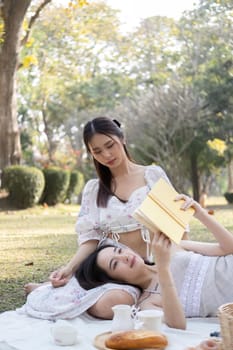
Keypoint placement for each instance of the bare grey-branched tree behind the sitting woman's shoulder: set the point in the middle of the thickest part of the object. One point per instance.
(159, 126)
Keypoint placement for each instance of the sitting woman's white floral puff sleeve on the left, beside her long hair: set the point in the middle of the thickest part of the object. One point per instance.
(87, 224)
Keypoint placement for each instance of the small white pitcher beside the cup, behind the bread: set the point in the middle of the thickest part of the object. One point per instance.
(122, 320)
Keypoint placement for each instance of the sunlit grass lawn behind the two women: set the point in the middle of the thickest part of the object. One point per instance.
(36, 241)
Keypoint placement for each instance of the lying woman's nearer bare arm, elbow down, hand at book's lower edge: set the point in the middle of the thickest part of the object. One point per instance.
(173, 310)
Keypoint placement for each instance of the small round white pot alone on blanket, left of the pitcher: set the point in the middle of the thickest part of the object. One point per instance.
(64, 333)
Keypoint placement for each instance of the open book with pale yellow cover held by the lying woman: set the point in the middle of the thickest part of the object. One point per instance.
(160, 211)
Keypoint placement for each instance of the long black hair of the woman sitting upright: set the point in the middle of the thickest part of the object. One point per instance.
(108, 127)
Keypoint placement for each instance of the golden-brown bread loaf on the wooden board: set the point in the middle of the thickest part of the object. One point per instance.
(136, 339)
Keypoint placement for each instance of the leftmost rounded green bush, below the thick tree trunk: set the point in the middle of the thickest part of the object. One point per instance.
(24, 184)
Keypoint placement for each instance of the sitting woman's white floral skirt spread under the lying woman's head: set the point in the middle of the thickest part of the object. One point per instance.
(69, 301)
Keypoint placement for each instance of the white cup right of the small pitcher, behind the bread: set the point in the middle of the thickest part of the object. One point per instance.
(150, 319)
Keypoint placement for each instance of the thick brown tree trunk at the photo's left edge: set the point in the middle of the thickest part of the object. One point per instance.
(13, 12)
